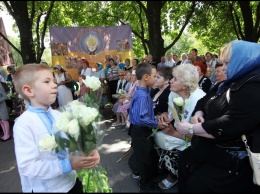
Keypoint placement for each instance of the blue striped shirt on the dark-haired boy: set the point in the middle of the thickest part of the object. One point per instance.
(141, 109)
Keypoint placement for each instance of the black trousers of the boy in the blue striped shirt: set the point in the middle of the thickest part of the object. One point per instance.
(146, 155)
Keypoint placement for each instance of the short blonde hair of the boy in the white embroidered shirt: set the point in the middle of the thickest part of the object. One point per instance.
(27, 75)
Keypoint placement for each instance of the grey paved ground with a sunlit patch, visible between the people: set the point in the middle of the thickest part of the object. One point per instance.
(115, 143)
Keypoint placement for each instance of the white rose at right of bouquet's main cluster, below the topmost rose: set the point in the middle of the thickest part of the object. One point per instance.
(88, 115)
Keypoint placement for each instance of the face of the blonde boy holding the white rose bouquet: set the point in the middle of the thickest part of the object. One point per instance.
(44, 90)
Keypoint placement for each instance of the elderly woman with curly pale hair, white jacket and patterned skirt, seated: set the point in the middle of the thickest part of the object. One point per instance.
(184, 84)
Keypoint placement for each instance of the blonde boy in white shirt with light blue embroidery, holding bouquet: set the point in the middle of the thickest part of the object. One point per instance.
(42, 171)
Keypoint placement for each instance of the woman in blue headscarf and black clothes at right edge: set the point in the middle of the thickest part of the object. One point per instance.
(217, 160)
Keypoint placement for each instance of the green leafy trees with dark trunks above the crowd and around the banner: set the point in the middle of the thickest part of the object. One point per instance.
(158, 26)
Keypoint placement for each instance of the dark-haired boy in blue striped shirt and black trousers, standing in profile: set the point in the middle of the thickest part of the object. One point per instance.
(142, 121)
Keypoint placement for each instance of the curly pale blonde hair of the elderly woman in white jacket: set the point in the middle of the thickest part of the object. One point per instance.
(188, 75)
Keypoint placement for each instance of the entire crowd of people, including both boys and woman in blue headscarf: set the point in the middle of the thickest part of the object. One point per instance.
(142, 94)
